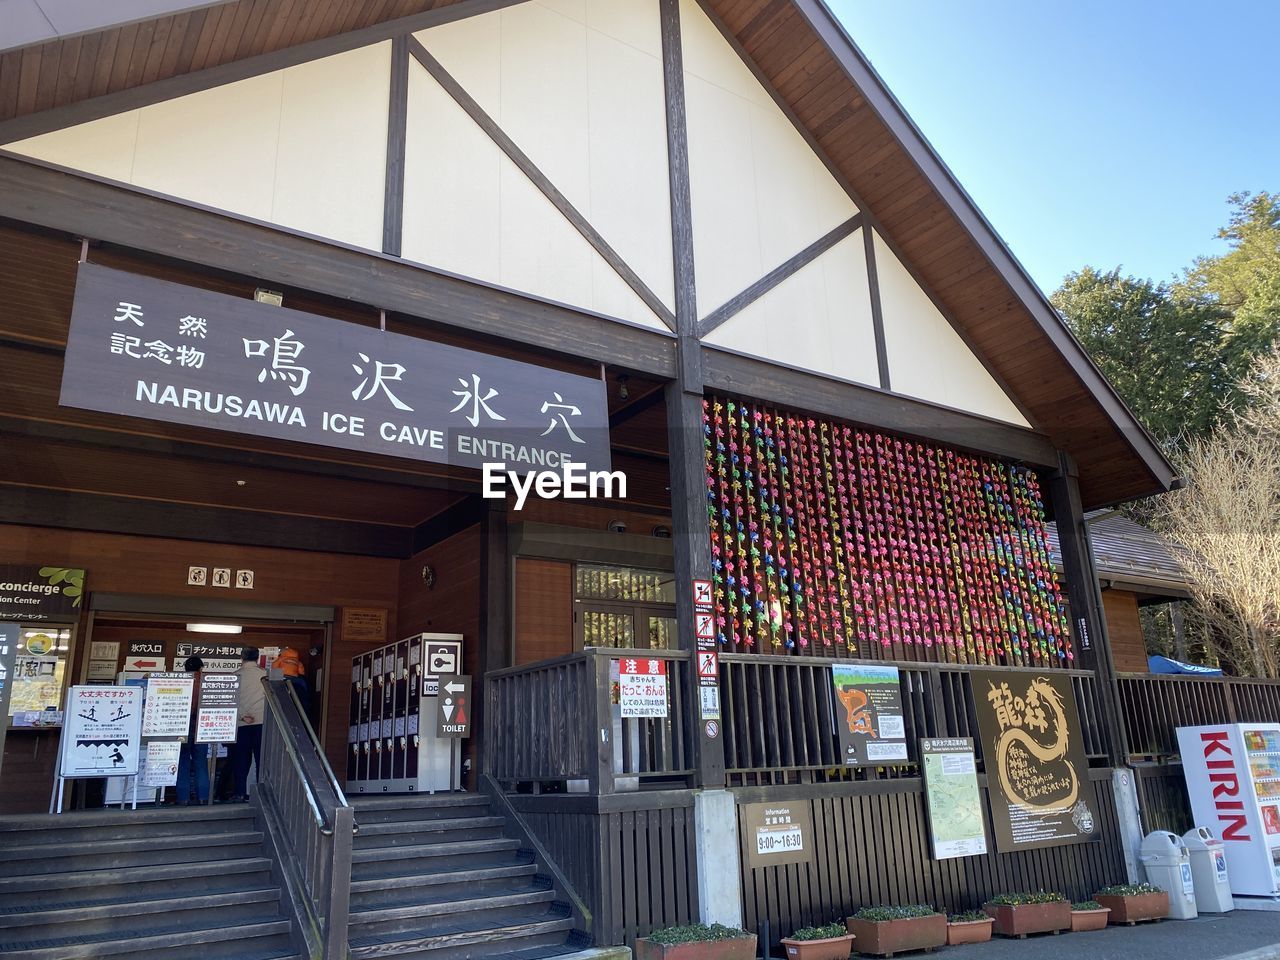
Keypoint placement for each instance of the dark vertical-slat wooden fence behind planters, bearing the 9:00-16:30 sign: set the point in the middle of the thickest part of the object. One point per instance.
(872, 848)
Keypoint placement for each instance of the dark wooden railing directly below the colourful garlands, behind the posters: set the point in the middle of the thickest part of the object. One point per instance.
(780, 725)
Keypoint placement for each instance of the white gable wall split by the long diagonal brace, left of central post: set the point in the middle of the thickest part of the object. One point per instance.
(578, 86)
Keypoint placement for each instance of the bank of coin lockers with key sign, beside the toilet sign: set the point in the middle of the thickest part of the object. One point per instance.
(396, 730)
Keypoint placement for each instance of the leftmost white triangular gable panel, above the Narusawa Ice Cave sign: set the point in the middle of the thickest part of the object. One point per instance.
(303, 148)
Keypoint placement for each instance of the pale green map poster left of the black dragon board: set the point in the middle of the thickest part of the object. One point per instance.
(953, 799)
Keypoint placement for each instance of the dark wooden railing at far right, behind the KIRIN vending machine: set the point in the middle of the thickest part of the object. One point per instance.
(1154, 706)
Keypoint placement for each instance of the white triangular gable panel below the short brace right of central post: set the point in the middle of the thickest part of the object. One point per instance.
(819, 319)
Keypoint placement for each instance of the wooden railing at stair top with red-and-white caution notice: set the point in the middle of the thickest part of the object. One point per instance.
(555, 724)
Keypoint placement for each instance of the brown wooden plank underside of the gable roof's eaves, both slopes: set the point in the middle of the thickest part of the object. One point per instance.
(819, 76)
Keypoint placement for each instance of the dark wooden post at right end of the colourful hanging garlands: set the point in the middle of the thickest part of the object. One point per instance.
(1081, 577)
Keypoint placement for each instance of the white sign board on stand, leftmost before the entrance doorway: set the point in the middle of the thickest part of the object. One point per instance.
(102, 732)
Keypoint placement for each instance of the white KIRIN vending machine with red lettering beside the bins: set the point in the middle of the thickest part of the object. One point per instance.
(1233, 778)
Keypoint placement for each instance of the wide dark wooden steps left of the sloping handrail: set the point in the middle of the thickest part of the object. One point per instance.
(173, 884)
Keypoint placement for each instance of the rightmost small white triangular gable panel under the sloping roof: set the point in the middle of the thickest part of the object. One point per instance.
(927, 359)
